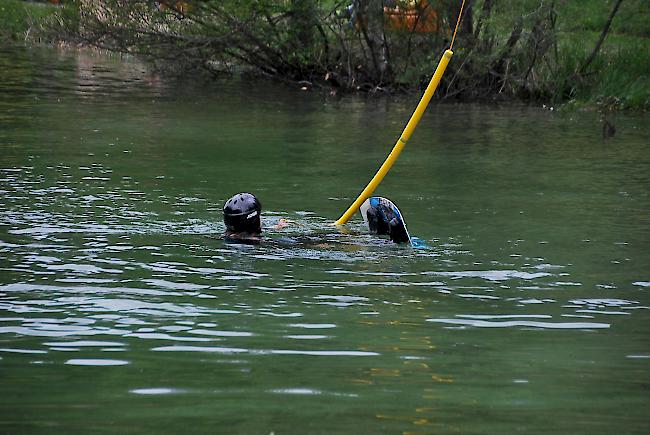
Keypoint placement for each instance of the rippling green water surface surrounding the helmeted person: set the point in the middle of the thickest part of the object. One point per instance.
(526, 312)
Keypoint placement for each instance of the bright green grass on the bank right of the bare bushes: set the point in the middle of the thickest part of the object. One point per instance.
(619, 76)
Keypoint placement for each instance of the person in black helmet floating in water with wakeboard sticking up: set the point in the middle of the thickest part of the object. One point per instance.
(242, 217)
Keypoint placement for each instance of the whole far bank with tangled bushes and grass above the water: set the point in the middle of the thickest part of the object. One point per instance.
(589, 54)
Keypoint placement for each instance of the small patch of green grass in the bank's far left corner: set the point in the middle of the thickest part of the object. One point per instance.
(17, 18)
